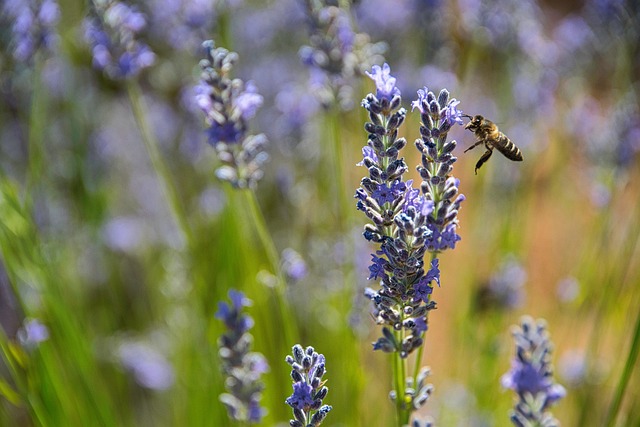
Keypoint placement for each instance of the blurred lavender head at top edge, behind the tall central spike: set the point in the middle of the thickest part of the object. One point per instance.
(336, 54)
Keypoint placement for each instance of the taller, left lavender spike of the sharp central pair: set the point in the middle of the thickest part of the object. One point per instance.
(398, 214)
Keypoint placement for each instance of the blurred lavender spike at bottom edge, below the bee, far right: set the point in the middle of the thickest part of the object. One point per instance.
(531, 376)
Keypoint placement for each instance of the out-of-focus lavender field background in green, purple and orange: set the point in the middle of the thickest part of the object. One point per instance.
(90, 247)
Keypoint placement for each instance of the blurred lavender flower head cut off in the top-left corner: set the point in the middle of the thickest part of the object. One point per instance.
(32, 25)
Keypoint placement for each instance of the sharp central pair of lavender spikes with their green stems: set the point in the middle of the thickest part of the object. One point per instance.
(407, 223)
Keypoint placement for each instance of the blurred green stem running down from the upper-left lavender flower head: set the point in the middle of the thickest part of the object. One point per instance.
(151, 144)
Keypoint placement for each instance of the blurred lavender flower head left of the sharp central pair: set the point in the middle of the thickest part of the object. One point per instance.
(227, 105)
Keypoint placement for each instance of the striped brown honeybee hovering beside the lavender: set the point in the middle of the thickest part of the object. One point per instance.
(487, 133)
